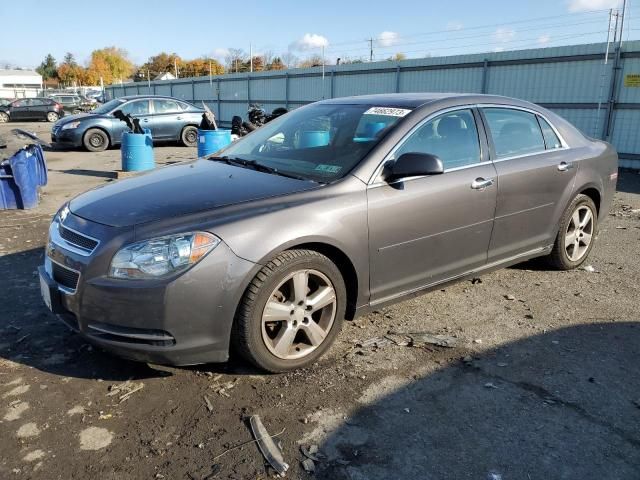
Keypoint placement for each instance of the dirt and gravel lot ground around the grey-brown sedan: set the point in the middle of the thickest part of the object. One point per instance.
(542, 383)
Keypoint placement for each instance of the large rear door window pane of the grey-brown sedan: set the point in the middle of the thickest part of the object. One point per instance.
(514, 132)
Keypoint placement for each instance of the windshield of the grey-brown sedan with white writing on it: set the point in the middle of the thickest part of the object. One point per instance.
(321, 142)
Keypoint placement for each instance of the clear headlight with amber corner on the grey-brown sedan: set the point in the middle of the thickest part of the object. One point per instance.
(161, 256)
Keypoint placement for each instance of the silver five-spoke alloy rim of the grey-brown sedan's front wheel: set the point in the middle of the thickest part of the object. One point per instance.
(299, 314)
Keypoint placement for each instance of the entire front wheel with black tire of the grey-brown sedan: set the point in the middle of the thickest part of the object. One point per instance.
(291, 312)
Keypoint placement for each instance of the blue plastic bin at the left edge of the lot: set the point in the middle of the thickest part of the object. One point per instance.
(19, 180)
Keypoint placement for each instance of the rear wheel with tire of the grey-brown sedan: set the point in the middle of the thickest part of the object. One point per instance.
(576, 235)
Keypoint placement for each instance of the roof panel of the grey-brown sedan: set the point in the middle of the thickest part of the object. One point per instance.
(415, 100)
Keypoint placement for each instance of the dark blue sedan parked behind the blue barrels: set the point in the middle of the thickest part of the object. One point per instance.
(168, 118)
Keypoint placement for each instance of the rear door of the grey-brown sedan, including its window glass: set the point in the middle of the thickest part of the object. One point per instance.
(534, 181)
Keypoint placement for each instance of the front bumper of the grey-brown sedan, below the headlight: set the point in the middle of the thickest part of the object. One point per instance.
(182, 320)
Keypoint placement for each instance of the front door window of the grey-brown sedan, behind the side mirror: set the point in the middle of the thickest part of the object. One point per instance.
(452, 137)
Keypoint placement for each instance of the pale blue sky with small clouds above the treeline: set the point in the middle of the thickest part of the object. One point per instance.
(193, 28)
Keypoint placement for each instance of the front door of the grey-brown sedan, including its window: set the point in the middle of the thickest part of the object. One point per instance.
(424, 230)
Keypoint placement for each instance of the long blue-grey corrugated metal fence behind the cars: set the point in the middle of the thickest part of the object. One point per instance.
(573, 81)
